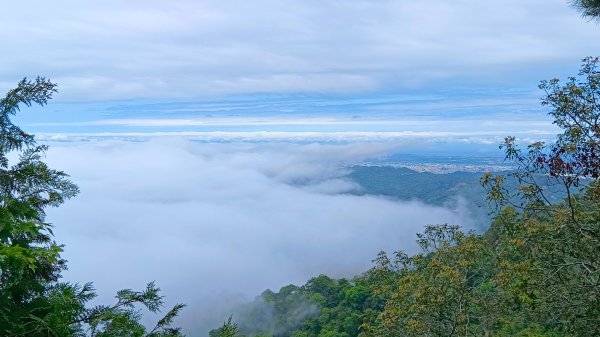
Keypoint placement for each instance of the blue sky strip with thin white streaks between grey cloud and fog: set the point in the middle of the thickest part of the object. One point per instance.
(445, 117)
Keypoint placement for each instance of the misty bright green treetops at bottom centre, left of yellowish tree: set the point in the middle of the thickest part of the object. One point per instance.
(322, 307)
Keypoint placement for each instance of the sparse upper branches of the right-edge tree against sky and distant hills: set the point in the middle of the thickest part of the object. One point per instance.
(572, 159)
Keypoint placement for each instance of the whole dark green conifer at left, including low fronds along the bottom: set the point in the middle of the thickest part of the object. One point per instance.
(33, 302)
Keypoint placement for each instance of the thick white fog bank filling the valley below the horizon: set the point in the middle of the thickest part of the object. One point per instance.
(217, 223)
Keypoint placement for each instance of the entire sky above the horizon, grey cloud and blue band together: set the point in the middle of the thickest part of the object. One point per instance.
(159, 68)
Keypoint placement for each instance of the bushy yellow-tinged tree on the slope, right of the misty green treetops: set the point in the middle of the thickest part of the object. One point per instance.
(445, 290)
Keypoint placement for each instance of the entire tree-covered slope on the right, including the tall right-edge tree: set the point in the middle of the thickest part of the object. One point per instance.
(534, 272)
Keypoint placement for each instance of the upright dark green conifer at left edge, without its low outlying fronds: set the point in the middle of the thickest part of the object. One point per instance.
(29, 258)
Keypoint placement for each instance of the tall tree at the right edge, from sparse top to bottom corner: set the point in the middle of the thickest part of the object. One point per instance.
(552, 251)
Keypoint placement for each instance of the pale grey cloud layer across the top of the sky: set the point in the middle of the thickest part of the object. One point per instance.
(156, 49)
